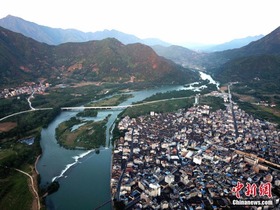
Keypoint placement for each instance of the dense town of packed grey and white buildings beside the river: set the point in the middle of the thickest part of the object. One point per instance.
(196, 159)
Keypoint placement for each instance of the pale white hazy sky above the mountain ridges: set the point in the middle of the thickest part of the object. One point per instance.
(174, 21)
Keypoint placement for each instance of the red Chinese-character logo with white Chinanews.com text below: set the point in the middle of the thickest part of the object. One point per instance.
(262, 192)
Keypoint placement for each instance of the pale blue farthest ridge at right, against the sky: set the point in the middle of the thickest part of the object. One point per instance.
(233, 44)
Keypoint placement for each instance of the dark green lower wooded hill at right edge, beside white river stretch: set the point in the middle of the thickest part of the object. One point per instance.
(260, 73)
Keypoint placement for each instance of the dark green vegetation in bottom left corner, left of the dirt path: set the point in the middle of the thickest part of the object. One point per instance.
(13, 184)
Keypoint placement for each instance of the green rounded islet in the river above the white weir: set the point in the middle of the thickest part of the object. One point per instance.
(89, 135)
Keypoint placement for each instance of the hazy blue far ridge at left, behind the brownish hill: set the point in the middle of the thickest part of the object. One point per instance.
(55, 36)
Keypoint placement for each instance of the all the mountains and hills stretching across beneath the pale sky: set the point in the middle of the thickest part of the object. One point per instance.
(81, 59)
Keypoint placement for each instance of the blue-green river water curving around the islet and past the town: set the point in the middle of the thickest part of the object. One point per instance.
(84, 176)
